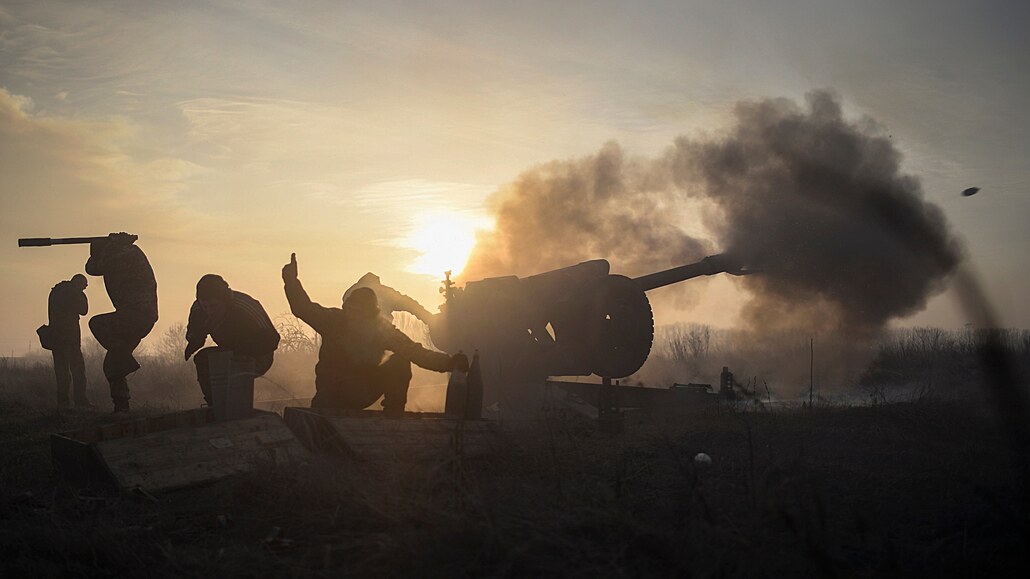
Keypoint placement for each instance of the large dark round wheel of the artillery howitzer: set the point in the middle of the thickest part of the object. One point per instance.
(624, 328)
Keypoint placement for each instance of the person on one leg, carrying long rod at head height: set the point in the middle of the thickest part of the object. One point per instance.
(133, 291)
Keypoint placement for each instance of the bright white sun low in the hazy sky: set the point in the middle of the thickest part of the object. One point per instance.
(444, 242)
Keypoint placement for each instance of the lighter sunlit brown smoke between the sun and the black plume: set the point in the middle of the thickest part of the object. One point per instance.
(604, 206)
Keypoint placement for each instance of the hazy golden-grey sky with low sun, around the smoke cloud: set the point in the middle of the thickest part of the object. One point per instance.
(367, 137)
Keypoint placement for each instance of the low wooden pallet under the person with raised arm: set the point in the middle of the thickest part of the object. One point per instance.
(370, 435)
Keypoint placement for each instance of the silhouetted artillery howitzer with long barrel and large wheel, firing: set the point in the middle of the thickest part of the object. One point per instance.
(571, 322)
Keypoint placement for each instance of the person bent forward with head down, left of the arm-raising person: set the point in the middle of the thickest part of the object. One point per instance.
(236, 322)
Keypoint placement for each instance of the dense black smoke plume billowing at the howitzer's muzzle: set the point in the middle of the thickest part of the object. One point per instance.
(820, 205)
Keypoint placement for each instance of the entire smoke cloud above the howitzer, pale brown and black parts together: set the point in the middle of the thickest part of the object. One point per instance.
(844, 240)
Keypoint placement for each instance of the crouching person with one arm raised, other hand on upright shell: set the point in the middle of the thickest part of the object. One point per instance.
(354, 369)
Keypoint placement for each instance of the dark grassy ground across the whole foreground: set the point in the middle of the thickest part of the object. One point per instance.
(924, 489)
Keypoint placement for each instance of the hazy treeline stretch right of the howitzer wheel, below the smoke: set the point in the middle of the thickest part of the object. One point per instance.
(903, 363)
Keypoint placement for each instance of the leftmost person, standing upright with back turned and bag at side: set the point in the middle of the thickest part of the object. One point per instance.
(66, 304)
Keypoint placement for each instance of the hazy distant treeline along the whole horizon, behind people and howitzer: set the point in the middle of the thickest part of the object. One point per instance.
(903, 364)
